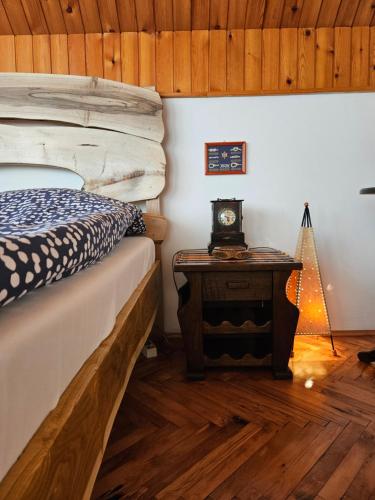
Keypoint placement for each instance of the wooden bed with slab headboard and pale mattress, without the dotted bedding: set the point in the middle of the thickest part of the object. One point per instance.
(65, 364)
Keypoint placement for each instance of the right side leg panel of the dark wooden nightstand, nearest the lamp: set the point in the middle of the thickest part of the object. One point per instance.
(285, 318)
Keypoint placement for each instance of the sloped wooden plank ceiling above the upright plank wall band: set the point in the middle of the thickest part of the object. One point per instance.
(22, 17)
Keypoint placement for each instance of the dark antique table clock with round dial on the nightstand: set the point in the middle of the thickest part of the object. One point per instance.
(226, 224)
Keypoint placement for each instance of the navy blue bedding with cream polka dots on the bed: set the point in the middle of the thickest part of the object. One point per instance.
(49, 234)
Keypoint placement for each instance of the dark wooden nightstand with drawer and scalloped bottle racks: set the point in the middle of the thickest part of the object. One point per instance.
(236, 313)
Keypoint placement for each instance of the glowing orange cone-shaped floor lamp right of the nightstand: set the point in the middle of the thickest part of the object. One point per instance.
(304, 288)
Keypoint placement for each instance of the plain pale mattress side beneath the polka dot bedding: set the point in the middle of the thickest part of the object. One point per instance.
(47, 336)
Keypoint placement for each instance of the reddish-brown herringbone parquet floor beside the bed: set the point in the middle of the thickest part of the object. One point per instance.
(241, 435)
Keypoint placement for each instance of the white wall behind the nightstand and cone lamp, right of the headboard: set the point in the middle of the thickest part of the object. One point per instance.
(319, 148)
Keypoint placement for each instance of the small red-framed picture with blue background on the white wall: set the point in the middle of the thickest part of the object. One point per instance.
(224, 158)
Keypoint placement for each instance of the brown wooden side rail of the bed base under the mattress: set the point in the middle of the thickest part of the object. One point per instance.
(62, 459)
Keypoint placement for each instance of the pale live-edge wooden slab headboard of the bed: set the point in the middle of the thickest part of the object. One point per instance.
(108, 132)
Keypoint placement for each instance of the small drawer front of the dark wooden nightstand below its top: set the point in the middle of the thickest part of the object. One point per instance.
(255, 285)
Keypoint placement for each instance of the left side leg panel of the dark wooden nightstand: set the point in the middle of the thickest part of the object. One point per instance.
(190, 318)
